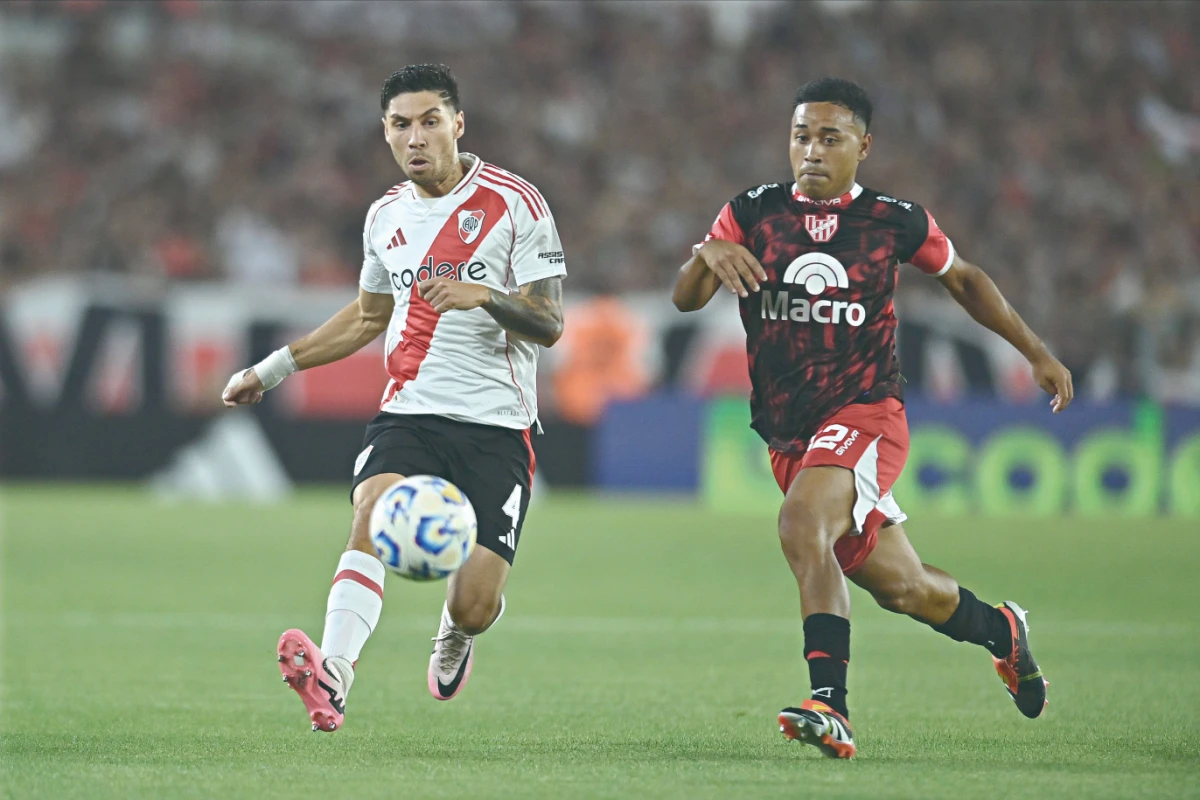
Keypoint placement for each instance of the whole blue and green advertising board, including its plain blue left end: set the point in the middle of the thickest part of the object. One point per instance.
(981, 458)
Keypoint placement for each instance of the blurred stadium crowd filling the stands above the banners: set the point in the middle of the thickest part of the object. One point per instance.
(1058, 143)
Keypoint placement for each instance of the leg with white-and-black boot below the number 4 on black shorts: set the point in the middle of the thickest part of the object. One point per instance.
(475, 603)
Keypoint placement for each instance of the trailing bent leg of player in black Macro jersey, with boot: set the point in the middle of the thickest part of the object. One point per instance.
(901, 584)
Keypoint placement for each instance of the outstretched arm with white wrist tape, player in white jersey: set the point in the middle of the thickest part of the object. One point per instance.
(347, 332)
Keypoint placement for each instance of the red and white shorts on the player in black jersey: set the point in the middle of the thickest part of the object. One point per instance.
(872, 441)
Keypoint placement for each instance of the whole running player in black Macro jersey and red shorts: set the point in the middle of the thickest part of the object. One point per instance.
(814, 262)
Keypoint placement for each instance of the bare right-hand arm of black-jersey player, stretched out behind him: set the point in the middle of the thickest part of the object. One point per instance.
(979, 294)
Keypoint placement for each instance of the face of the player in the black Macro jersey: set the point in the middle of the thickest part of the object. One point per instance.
(827, 147)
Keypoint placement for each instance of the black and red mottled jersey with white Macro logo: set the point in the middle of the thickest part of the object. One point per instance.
(821, 332)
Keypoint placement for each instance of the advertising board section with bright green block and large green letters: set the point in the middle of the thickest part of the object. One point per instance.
(1000, 460)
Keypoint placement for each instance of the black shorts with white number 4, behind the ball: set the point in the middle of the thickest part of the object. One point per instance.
(493, 466)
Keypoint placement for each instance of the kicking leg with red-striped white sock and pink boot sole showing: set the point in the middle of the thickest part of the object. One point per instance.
(323, 677)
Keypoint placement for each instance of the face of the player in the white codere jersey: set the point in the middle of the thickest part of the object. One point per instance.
(423, 134)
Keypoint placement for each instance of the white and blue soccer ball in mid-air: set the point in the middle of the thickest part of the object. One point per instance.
(423, 528)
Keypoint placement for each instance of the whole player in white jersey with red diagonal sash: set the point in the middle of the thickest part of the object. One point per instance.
(463, 268)
